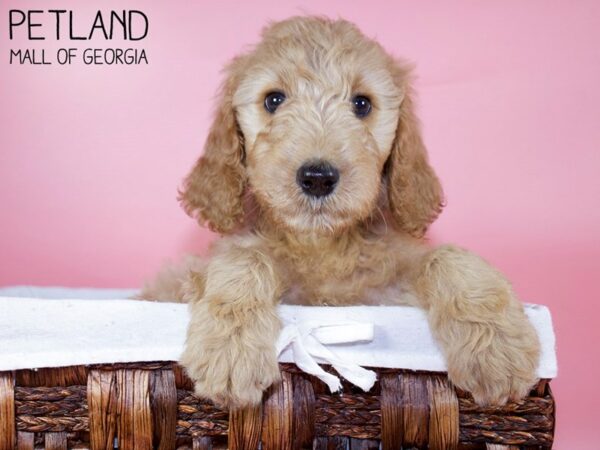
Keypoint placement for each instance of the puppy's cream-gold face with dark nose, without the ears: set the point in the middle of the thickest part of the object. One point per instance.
(318, 109)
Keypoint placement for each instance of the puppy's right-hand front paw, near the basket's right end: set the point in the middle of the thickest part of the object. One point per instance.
(498, 372)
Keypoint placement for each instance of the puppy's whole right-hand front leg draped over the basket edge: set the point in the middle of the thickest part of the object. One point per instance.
(492, 349)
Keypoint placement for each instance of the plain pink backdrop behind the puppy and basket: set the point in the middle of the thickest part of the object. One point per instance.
(91, 156)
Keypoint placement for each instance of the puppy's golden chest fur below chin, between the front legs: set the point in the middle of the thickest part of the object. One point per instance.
(349, 270)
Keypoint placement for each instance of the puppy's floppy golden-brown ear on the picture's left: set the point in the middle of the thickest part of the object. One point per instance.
(212, 192)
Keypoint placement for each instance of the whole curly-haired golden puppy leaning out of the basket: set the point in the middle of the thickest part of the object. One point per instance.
(316, 174)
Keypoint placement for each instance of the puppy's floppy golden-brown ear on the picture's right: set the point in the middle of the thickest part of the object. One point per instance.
(414, 192)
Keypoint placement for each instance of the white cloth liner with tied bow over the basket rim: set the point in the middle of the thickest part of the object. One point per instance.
(38, 332)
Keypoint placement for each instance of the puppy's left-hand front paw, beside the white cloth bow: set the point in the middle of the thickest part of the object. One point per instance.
(231, 375)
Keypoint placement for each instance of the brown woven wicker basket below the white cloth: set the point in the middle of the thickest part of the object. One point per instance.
(151, 405)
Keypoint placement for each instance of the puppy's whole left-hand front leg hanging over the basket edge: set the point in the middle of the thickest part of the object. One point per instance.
(230, 347)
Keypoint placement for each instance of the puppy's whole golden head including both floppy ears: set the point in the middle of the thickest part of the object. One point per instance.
(317, 123)
